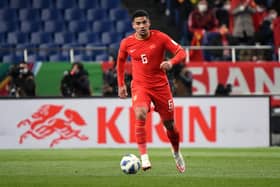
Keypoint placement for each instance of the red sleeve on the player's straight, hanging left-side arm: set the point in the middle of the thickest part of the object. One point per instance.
(122, 55)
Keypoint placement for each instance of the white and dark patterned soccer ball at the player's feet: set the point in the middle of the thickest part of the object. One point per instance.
(130, 164)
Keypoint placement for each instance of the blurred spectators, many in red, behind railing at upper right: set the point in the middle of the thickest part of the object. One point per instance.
(227, 23)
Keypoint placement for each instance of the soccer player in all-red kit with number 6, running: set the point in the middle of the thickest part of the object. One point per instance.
(146, 49)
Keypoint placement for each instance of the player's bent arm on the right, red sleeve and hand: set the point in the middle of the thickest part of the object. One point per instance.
(178, 52)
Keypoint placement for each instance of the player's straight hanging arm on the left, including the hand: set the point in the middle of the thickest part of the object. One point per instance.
(122, 55)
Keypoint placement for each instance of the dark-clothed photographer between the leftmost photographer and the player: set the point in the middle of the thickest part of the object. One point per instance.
(75, 82)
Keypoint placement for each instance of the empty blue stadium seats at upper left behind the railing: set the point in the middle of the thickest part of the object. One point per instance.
(48, 23)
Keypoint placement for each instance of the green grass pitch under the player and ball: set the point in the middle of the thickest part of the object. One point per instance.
(100, 167)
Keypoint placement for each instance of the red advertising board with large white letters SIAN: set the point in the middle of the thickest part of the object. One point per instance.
(246, 78)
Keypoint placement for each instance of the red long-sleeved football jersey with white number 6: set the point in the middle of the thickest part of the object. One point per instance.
(146, 57)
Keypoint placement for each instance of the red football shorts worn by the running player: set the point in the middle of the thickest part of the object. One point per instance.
(161, 97)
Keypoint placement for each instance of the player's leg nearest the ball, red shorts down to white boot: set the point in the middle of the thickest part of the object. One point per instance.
(140, 102)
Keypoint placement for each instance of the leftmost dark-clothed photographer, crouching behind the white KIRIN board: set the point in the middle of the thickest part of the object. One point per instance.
(22, 81)
